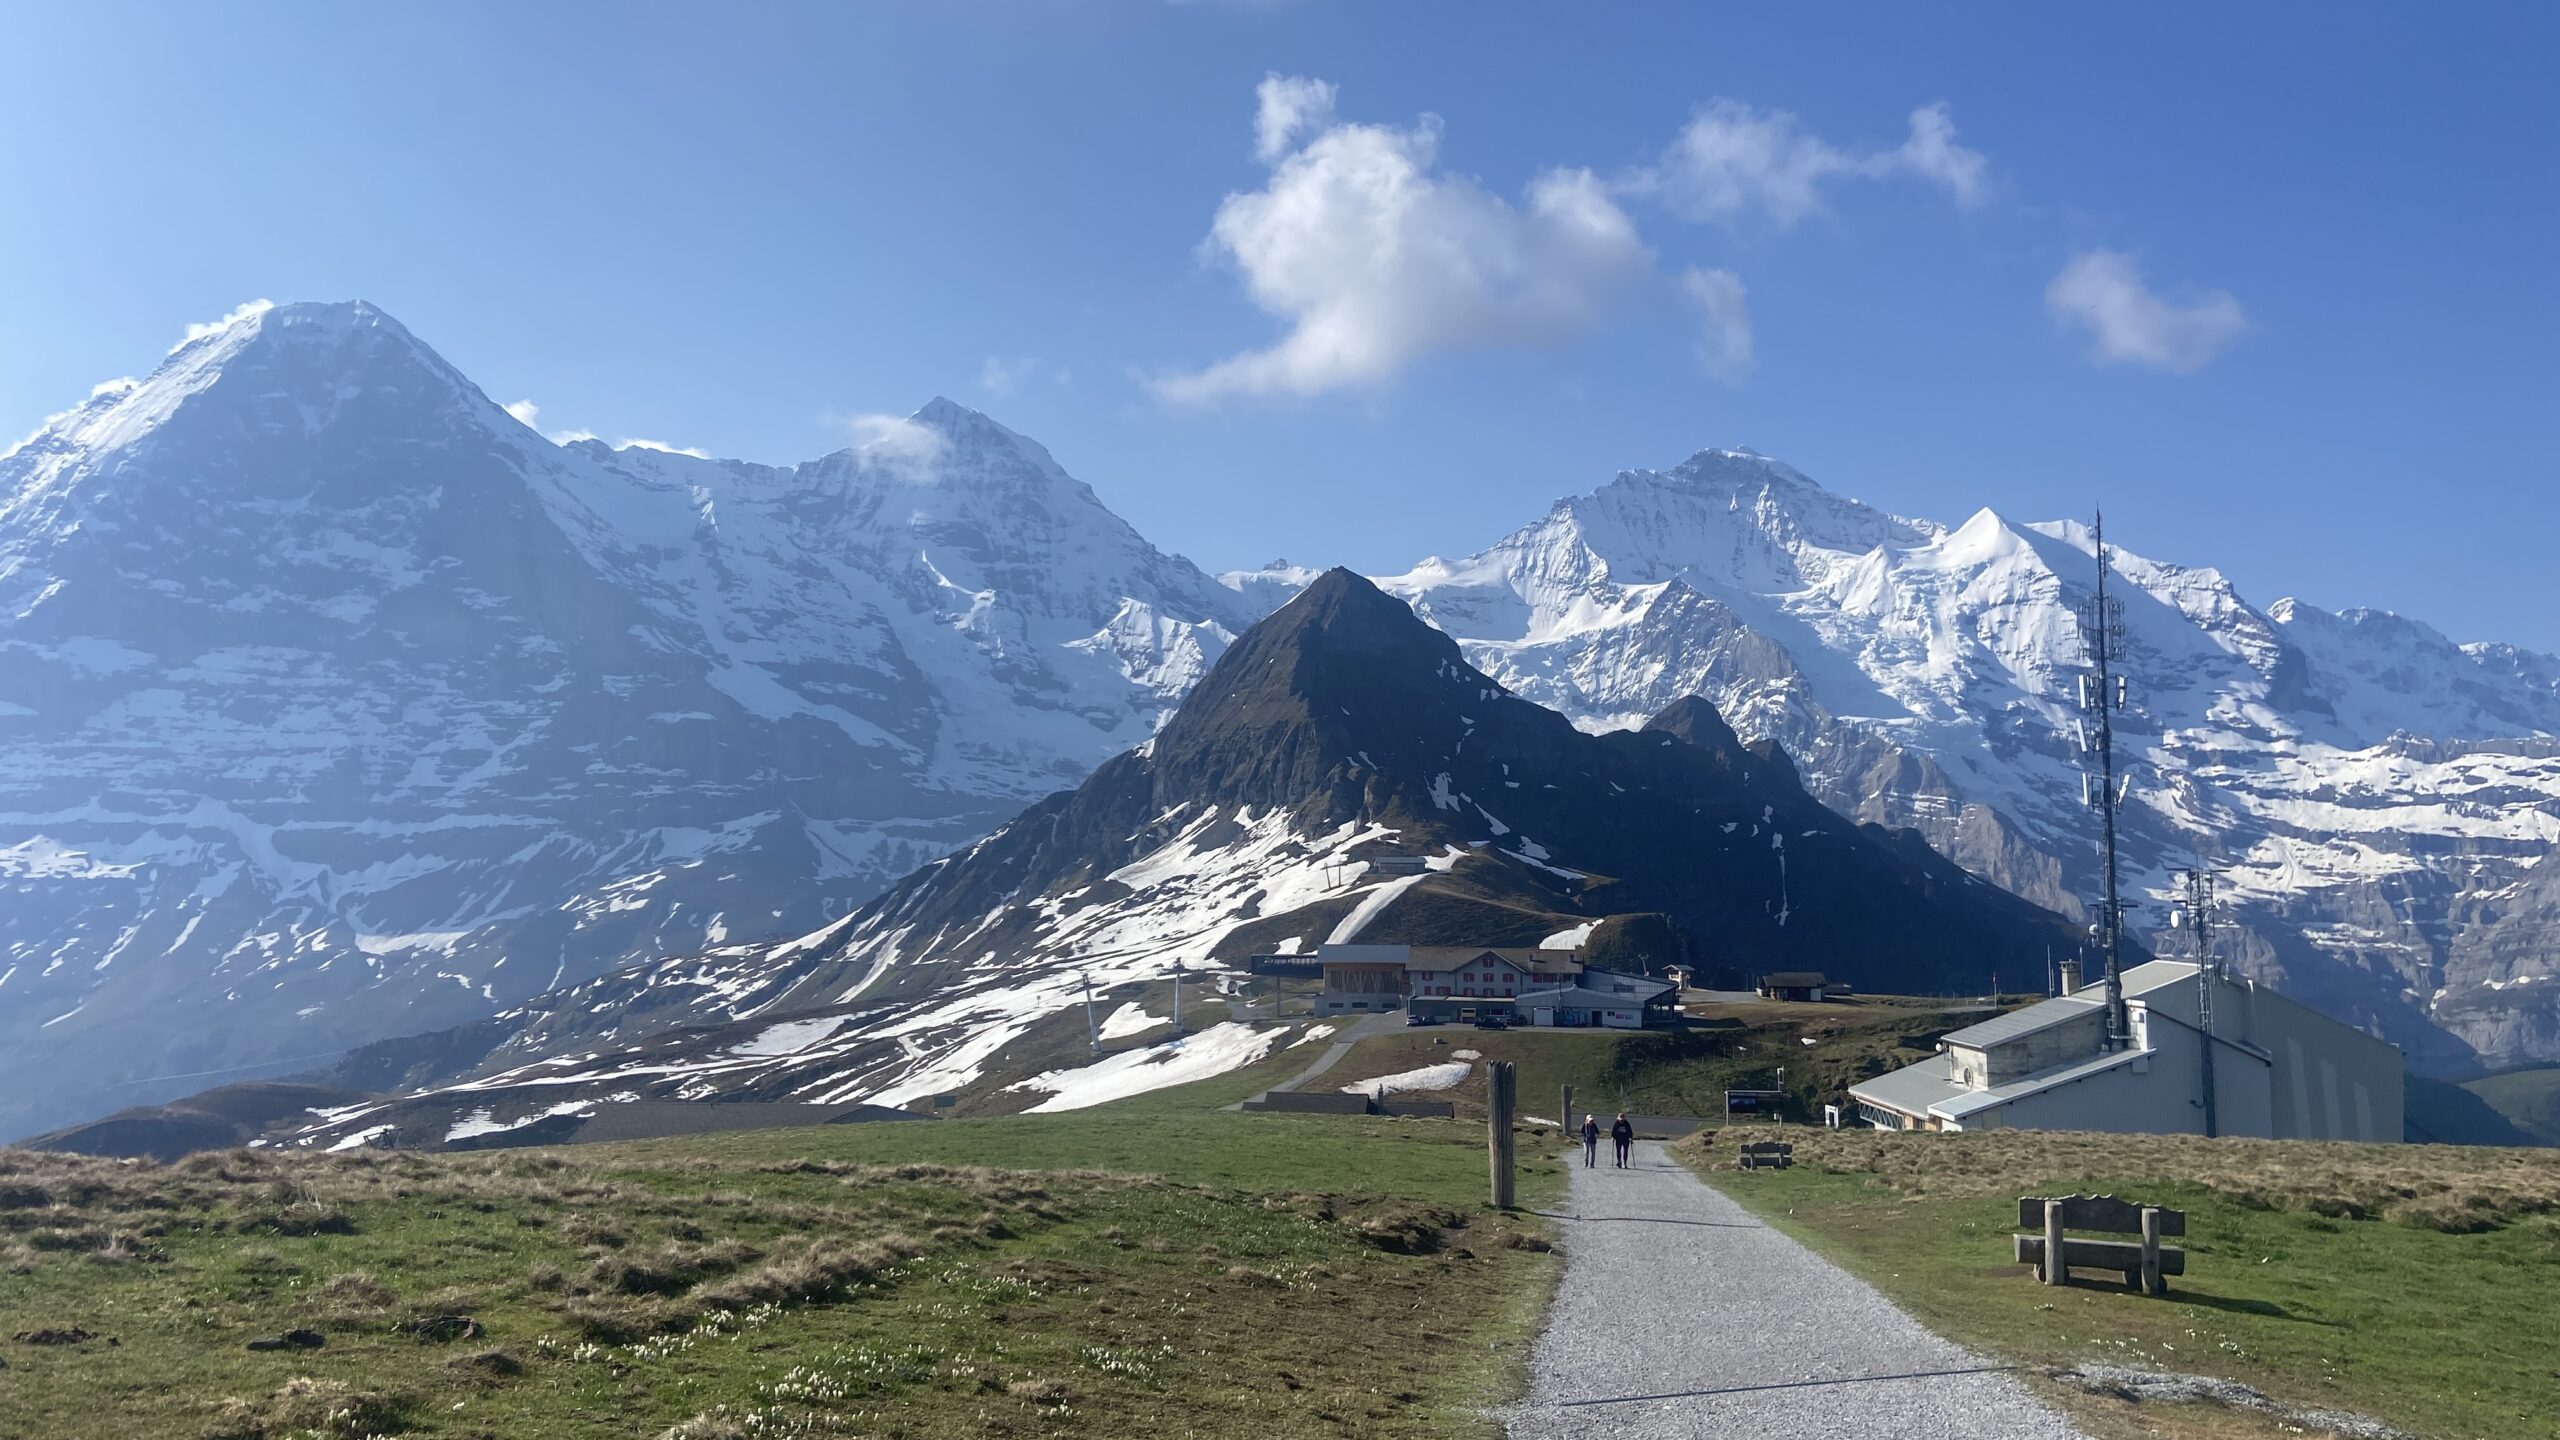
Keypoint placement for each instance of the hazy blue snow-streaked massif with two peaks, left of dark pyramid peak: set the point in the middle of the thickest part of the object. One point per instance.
(337, 703)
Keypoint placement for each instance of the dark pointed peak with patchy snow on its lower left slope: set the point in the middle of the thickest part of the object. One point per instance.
(1330, 739)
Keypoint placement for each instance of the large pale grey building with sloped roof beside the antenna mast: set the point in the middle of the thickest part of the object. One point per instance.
(2280, 1070)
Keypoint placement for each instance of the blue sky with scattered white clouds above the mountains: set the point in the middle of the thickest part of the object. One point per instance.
(2272, 283)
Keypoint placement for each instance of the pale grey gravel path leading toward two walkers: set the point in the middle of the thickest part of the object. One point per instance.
(1683, 1318)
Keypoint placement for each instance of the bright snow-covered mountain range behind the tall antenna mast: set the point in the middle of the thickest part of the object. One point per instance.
(2382, 796)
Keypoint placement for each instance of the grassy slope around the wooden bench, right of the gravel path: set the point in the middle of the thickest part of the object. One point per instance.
(2405, 1282)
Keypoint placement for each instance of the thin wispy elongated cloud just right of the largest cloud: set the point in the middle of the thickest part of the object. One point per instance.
(1732, 163)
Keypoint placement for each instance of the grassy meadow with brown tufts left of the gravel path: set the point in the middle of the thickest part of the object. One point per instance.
(1158, 1267)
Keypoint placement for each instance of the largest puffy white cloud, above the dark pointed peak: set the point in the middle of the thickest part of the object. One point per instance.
(1376, 258)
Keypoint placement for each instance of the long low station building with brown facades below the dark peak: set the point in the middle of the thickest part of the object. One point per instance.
(1471, 983)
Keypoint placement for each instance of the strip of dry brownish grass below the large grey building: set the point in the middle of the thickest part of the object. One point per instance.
(2436, 1188)
